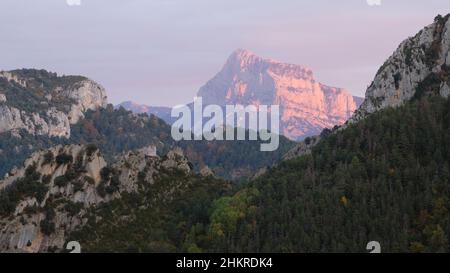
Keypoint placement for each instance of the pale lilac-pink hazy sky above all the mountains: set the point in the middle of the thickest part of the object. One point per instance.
(160, 52)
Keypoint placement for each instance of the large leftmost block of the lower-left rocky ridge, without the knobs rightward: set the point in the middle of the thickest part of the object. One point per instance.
(40, 223)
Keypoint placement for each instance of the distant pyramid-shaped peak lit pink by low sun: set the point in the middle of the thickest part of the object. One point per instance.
(306, 106)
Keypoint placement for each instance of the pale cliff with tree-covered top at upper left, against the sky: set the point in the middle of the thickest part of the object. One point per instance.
(43, 103)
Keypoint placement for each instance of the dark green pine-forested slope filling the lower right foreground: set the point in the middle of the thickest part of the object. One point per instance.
(383, 179)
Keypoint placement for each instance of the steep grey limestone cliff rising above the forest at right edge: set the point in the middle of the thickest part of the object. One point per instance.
(420, 66)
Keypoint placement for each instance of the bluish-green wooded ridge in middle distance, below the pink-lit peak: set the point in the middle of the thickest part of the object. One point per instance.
(116, 131)
